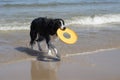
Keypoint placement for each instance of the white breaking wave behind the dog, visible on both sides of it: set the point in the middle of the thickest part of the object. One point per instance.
(78, 20)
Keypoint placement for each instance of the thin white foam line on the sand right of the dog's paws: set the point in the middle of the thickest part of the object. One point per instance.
(88, 53)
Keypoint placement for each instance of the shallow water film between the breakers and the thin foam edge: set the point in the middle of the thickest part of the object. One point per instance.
(14, 45)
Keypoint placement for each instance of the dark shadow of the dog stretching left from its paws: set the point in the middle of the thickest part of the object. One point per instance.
(40, 55)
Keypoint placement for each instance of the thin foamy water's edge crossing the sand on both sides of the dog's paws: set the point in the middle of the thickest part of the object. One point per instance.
(34, 58)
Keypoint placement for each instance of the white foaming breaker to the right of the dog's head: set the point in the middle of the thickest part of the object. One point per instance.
(95, 19)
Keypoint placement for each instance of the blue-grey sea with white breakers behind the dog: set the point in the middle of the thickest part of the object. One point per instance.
(85, 14)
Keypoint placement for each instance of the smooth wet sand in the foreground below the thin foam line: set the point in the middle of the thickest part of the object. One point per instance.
(102, 65)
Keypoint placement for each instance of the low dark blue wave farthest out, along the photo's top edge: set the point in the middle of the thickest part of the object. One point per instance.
(24, 4)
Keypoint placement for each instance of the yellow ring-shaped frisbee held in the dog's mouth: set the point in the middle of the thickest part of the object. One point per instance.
(68, 36)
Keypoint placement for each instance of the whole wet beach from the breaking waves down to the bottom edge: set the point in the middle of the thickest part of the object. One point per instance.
(95, 56)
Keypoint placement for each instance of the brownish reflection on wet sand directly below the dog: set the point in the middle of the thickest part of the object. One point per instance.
(44, 70)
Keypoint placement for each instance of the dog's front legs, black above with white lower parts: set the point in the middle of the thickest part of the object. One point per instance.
(51, 47)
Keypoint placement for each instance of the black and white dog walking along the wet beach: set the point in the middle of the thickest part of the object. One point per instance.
(42, 28)
